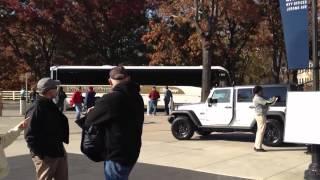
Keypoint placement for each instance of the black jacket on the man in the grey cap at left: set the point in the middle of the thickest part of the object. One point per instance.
(47, 130)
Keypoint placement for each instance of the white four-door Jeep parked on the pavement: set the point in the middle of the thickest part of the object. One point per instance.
(229, 109)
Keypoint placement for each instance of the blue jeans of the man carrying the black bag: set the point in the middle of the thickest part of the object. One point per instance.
(116, 171)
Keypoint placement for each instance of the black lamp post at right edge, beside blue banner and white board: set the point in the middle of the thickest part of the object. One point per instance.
(313, 172)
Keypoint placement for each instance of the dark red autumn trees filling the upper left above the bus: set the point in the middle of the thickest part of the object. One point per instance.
(44, 33)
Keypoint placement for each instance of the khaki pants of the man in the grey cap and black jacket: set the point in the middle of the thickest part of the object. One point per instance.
(51, 168)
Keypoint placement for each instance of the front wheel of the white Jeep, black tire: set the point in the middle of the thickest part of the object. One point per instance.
(182, 128)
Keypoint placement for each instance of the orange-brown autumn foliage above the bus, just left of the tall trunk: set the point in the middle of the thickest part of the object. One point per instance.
(172, 41)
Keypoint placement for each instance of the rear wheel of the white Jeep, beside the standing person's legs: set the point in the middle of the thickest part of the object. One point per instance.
(274, 133)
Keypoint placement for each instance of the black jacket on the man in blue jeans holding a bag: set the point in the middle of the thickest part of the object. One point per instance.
(121, 112)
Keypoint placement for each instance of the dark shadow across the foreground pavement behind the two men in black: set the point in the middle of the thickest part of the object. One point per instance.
(80, 168)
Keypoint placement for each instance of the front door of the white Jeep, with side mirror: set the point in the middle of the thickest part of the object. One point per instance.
(221, 111)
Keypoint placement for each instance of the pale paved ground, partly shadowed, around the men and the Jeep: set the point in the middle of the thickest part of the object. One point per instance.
(218, 156)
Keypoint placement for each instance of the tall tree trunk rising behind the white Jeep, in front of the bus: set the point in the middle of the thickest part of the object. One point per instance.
(206, 71)
